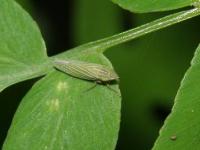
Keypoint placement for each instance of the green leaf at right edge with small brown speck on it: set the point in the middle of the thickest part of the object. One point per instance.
(181, 129)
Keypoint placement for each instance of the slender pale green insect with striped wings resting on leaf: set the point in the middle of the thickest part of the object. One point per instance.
(88, 71)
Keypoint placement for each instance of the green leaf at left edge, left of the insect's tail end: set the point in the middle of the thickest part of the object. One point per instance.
(22, 50)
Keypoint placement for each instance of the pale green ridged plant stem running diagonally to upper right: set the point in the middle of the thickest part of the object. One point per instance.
(103, 44)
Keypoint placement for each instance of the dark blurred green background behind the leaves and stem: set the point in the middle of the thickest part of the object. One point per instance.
(150, 67)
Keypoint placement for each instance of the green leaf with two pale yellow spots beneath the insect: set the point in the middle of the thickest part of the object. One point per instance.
(60, 112)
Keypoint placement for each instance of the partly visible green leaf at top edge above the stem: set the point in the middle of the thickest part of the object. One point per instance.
(142, 6)
